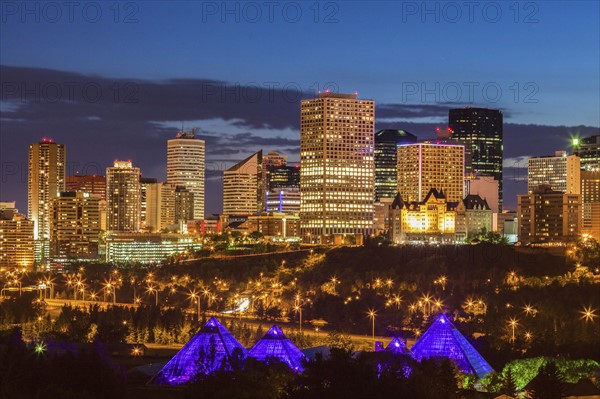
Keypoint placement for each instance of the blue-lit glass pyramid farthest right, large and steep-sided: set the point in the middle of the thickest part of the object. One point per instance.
(442, 339)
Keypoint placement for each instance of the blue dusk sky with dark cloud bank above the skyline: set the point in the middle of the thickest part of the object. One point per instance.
(116, 80)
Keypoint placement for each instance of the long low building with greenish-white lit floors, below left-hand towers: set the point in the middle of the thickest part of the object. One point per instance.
(124, 248)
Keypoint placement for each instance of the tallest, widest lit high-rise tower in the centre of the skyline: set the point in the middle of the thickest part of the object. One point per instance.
(337, 168)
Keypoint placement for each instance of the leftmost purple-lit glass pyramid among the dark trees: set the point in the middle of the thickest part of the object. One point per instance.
(203, 354)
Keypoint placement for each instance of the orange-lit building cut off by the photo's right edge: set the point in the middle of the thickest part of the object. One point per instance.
(590, 200)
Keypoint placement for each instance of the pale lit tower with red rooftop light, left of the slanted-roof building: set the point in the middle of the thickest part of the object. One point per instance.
(186, 166)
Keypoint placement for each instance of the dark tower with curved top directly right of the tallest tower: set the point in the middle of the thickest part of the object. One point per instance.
(386, 165)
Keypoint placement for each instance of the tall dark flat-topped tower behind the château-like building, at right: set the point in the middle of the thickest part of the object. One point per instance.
(480, 130)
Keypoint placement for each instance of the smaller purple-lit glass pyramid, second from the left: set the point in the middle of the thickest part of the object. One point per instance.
(274, 344)
